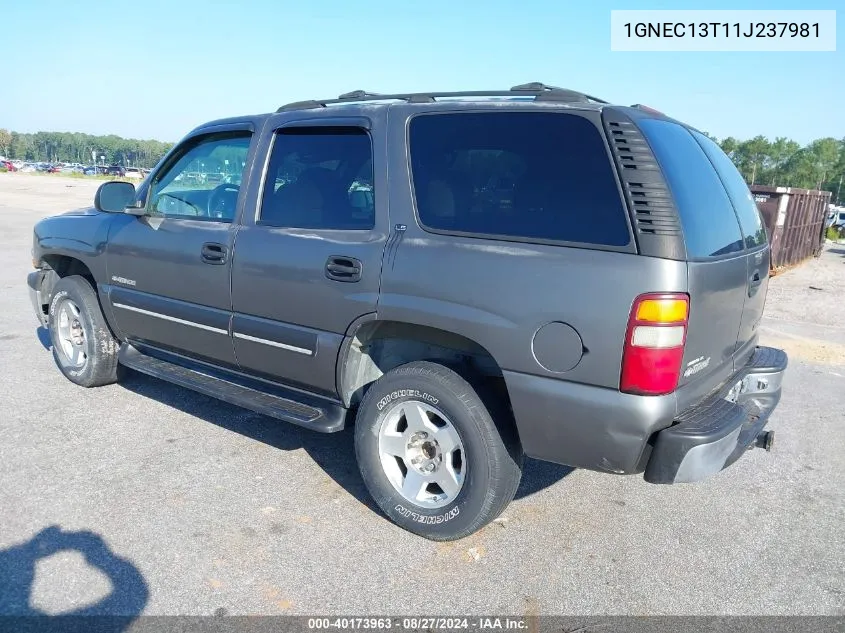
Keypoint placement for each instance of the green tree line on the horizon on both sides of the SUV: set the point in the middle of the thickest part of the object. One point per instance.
(782, 162)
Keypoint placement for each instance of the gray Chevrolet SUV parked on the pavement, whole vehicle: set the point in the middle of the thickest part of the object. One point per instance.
(468, 277)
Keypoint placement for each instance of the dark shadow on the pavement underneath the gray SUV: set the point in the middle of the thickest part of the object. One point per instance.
(333, 452)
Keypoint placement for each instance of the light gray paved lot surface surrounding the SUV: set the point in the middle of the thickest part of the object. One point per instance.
(179, 504)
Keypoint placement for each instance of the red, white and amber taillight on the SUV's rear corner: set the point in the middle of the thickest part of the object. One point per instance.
(654, 344)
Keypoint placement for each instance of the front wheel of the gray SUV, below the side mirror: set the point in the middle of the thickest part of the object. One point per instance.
(83, 346)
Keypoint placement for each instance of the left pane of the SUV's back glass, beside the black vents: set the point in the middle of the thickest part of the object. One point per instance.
(707, 215)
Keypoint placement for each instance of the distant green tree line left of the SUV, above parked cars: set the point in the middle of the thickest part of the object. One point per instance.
(75, 147)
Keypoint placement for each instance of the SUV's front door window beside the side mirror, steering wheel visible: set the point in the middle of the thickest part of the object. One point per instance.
(205, 180)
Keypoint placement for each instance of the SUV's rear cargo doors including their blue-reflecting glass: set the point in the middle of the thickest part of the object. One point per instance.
(727, 254)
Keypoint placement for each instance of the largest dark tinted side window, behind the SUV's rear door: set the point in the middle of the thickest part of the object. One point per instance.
(524, 175)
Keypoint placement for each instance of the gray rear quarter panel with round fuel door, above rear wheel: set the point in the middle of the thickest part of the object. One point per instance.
(500, 294)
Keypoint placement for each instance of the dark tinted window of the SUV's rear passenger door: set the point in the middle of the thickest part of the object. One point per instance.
(320, 178)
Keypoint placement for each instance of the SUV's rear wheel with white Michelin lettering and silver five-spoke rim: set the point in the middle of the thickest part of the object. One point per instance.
(457, 475)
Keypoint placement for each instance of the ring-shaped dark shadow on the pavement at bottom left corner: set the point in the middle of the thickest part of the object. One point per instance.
(127, 599)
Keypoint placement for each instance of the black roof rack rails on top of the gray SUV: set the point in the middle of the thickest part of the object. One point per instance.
(540, 92)
